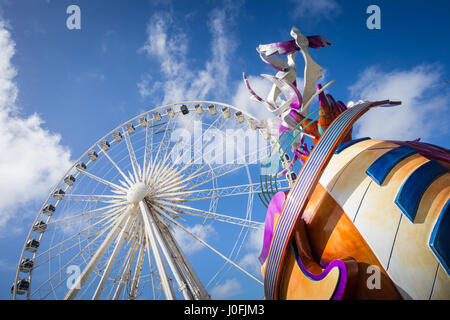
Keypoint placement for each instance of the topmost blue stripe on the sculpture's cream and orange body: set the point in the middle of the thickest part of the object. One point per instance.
(379, 170)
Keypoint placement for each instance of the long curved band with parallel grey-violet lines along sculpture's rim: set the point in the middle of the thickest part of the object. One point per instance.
(299, 192)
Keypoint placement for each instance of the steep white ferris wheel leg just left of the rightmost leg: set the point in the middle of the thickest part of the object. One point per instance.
(151, 240)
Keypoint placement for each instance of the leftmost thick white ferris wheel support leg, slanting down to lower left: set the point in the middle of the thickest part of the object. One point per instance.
(71, 294)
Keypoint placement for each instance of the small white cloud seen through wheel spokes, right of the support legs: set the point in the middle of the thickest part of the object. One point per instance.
(188, 243)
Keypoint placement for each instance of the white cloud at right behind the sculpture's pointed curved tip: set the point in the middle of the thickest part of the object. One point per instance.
(424, 109)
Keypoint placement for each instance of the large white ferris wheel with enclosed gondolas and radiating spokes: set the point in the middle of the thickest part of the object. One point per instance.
(127, 219)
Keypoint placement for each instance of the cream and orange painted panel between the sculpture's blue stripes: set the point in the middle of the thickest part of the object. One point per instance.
(409, 261)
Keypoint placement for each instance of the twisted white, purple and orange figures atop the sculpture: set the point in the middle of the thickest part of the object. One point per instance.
(294, 108)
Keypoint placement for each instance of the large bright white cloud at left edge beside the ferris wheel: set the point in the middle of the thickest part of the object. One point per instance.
(32, 158)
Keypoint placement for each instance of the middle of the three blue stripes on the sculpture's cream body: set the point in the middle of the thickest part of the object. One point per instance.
(411, 191)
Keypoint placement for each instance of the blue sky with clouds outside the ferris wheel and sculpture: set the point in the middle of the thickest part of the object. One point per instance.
(61, 90)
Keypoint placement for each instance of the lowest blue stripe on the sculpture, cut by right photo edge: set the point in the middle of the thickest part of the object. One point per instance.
(440, 238)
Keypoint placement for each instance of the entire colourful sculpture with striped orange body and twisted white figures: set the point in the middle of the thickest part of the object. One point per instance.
(365, 218)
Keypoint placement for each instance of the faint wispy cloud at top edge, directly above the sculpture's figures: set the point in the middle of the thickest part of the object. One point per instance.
(315, 9)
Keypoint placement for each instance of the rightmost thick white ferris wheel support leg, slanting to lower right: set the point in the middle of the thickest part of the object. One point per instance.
(167, 253)
